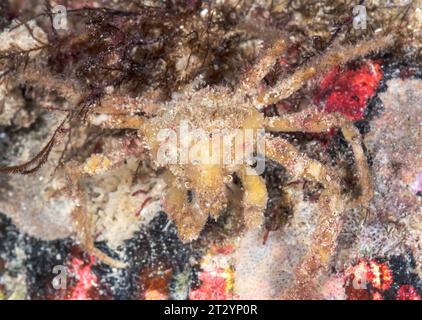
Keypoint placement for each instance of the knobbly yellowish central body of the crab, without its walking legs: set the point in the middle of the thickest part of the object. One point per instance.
(197, 188)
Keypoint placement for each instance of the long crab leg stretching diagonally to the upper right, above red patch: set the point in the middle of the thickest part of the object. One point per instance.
(336, 55)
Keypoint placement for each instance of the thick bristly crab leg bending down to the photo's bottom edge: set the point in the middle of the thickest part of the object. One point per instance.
(316, 260)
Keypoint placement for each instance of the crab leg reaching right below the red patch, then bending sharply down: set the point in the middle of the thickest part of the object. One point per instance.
(315, 121)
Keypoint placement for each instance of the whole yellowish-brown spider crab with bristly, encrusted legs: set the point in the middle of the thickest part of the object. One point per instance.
(197, 190)
